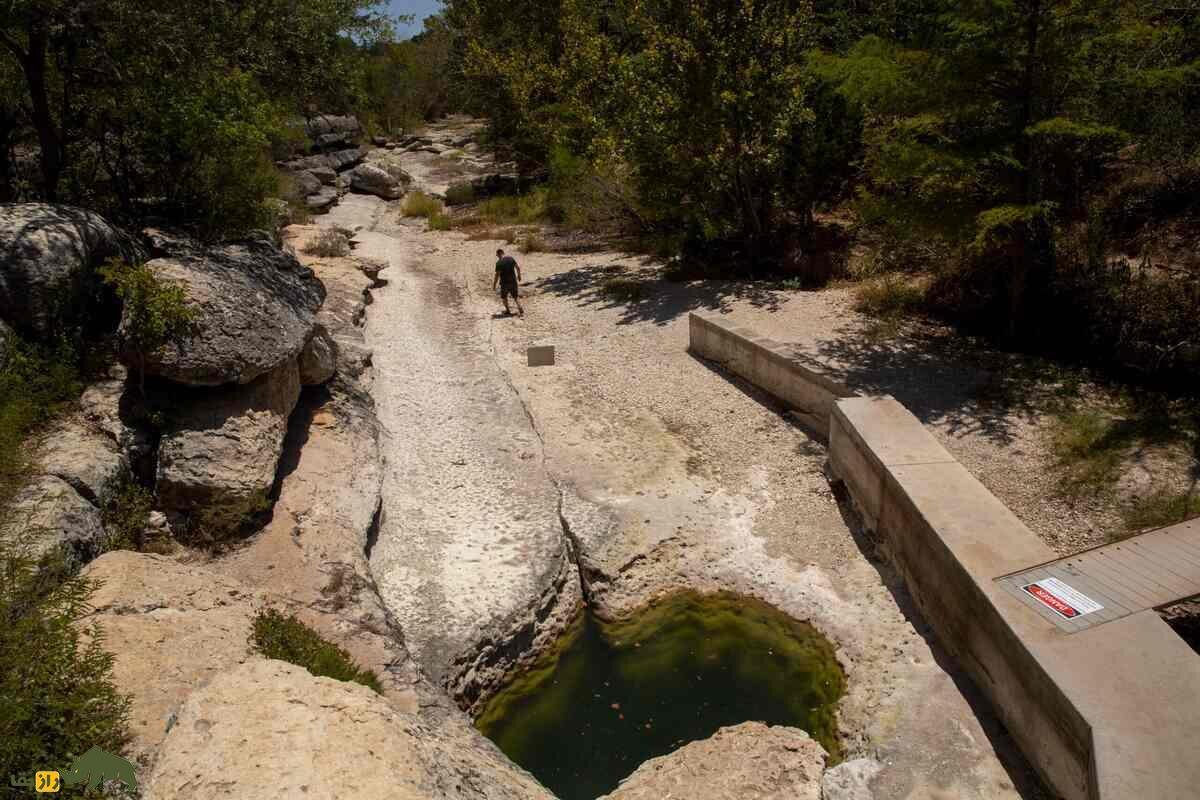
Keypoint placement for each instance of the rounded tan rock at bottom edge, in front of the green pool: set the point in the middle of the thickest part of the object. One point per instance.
(747, 761)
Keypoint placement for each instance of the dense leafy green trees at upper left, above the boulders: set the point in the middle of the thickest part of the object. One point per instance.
(101, 77)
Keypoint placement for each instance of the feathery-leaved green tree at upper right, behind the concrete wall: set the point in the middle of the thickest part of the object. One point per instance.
(987, 128)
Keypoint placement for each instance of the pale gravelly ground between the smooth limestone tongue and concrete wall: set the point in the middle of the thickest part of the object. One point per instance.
(699, 480)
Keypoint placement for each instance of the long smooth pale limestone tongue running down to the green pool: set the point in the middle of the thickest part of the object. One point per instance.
(471, 556)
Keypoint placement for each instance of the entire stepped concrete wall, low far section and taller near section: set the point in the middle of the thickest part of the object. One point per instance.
(1111, 713)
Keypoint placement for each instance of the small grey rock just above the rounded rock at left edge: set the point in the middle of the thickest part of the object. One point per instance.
(86, 459)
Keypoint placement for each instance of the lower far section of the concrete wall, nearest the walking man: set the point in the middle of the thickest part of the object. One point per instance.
(773, 366)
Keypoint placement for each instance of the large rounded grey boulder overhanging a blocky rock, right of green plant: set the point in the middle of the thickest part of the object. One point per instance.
(257, 309)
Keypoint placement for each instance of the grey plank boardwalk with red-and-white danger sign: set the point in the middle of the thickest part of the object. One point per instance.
(1113, 581)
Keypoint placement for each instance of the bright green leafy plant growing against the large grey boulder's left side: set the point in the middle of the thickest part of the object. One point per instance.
(154, 311)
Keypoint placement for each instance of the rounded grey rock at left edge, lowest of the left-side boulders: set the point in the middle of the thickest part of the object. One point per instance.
(49, 514)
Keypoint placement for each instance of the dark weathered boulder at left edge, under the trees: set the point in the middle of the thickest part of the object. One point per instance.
(49, 260)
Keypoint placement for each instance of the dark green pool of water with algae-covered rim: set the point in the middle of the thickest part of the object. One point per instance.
(613, 696)
